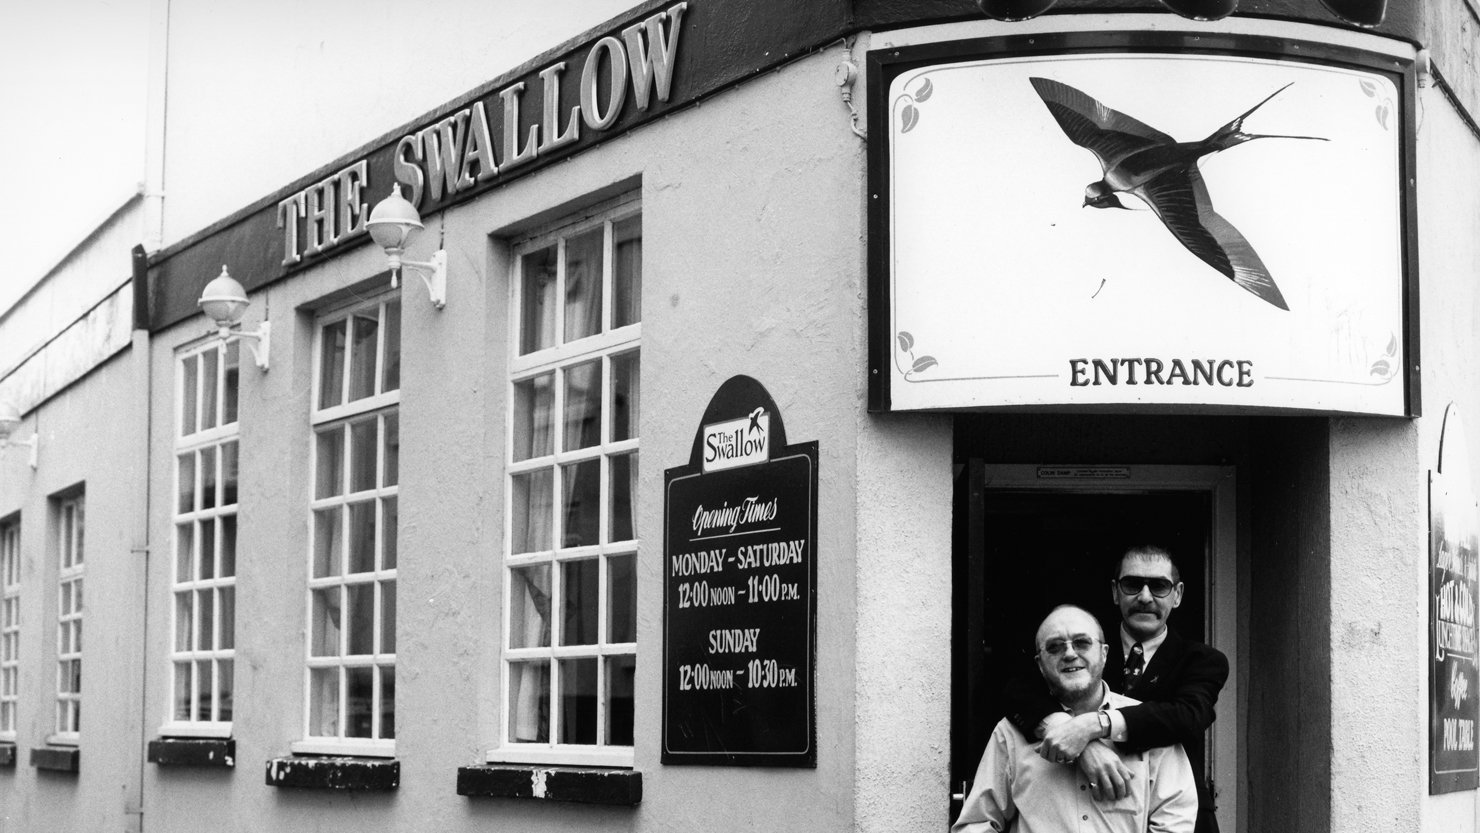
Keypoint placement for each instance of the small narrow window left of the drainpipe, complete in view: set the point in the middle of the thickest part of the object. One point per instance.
(70, 619)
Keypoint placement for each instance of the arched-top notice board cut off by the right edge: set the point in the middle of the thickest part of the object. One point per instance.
(1454, 631)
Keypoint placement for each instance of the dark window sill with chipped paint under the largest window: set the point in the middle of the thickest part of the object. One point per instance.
(618, 788)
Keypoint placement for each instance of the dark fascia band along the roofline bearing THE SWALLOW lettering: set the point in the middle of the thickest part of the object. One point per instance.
(711, 47)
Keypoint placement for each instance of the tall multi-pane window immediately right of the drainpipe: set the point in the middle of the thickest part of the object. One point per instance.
(206, 462)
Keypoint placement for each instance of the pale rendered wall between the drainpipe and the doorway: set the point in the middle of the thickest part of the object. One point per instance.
(753, 264)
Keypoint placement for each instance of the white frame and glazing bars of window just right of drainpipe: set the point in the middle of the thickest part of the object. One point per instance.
(196, 440)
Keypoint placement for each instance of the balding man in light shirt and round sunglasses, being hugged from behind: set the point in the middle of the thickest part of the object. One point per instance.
(1016, 789)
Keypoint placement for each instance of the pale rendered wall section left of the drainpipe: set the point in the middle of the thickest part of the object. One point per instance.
(79, 449)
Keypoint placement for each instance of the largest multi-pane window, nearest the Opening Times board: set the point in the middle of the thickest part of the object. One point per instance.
(571, 539)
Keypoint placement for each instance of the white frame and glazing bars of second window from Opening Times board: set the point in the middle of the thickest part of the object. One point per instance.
(343, 416)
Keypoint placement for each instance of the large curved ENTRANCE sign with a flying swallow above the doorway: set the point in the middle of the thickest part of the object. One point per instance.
(1137, 230)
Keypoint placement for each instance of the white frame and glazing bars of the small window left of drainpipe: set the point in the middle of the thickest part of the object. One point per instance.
(70, 572)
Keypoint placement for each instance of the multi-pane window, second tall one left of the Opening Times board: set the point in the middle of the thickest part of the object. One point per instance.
(353, 516)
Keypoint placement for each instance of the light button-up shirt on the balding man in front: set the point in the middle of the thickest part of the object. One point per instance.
(1015, 783)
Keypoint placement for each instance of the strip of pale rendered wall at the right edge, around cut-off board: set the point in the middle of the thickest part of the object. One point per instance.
(1448, 168)
